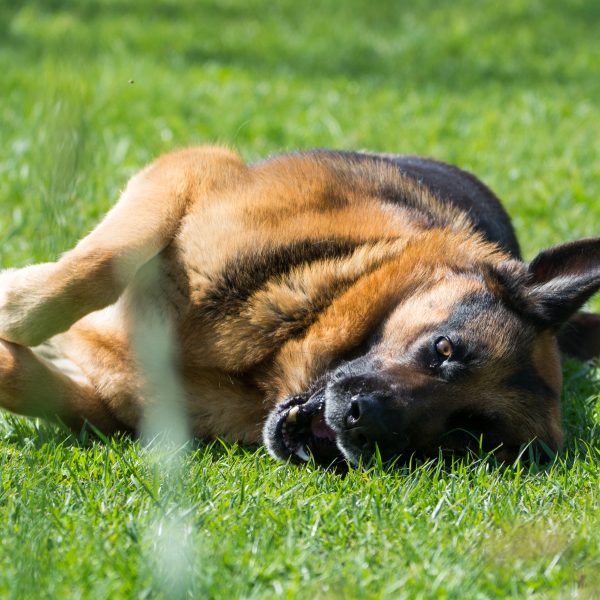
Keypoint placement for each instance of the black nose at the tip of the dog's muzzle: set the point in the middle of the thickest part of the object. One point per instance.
(365, 421)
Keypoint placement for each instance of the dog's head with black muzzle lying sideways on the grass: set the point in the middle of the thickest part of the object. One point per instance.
(467, 360)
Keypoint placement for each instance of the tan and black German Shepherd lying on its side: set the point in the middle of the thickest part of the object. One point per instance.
(327, 303)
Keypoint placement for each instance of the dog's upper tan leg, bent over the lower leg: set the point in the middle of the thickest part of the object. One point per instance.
(42, 300)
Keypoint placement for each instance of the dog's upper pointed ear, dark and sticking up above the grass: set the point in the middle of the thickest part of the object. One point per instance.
(561, 279)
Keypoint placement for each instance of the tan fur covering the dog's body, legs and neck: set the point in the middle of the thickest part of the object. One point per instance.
(158, 252)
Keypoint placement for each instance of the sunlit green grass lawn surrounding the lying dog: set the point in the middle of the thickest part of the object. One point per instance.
(508, 90)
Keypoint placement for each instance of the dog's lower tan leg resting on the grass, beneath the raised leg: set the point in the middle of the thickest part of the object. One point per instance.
(34, 387)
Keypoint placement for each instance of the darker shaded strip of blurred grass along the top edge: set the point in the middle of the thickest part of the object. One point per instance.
(429, 44)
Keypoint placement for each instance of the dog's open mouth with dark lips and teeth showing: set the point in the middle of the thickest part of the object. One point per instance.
(297, 429)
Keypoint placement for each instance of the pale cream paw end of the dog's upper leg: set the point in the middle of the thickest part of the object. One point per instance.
(24, 303)
